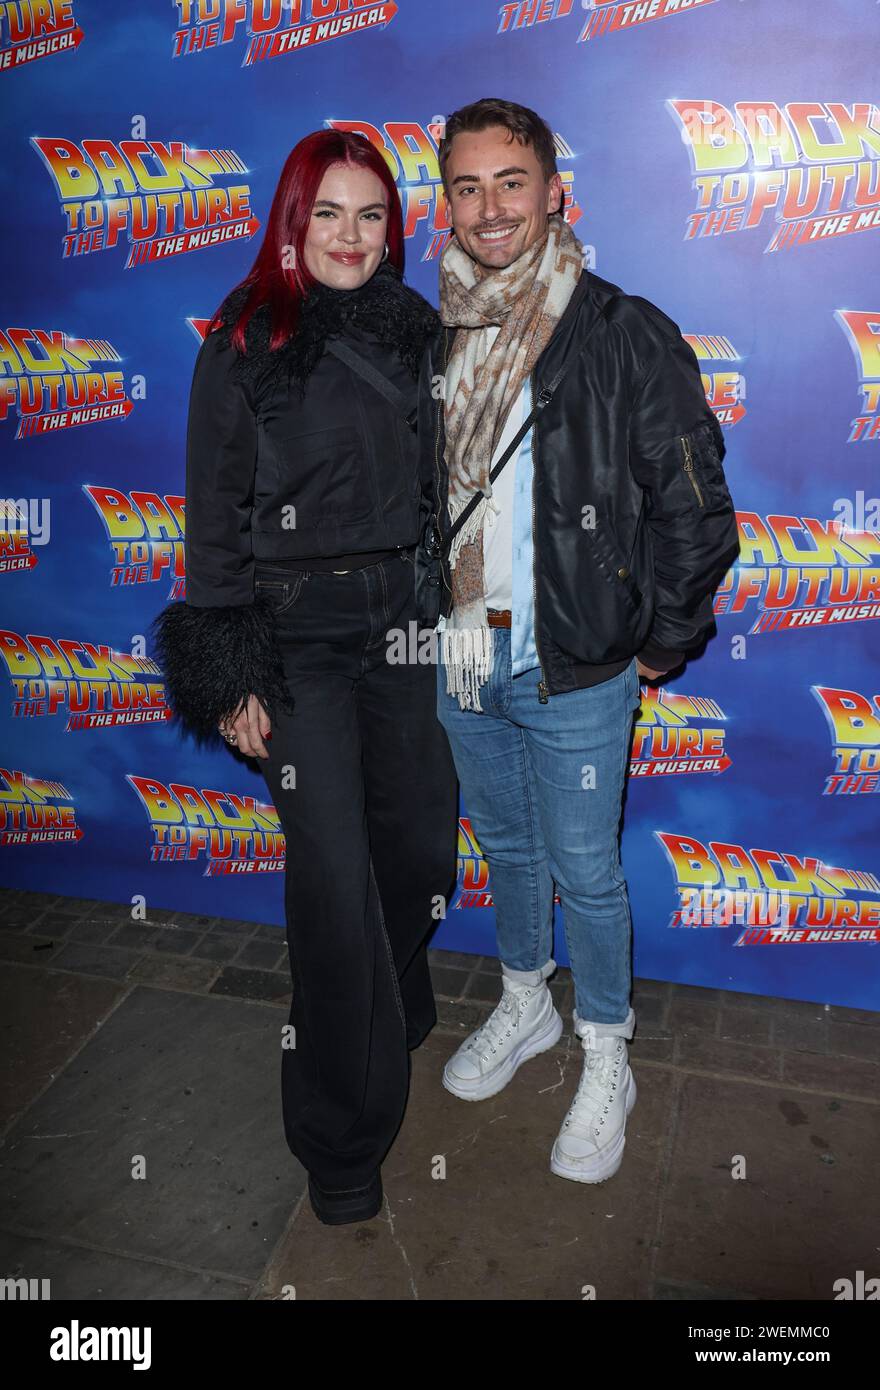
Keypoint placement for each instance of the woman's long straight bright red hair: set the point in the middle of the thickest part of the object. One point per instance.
(273, 283)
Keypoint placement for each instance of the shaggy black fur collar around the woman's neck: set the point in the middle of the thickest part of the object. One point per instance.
(384, 309)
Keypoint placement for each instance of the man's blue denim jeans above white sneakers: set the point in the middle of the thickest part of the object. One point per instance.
(543, 818)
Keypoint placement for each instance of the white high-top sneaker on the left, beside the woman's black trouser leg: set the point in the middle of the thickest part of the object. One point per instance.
(523, 1025)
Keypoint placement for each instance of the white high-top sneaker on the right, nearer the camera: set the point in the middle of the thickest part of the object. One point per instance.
(590, 1145)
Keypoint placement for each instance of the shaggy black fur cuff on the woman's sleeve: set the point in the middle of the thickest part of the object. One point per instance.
(215, 658)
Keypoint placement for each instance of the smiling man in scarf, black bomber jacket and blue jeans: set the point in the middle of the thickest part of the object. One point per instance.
(589, 564)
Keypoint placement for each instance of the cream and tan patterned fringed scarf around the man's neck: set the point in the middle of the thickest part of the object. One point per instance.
(526, 300)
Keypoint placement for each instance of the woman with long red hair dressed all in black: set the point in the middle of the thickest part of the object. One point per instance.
(304, 505)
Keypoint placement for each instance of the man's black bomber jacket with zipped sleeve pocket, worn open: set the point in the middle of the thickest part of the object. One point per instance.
(635, 526)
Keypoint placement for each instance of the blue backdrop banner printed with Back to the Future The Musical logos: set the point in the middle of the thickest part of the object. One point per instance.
(721, 159)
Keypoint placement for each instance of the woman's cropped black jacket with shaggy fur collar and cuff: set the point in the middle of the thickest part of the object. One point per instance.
(290, 455)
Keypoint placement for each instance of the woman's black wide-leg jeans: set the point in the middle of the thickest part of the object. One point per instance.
(365, 786)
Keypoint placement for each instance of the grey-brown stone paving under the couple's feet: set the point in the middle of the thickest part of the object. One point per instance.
(142, 1153)
